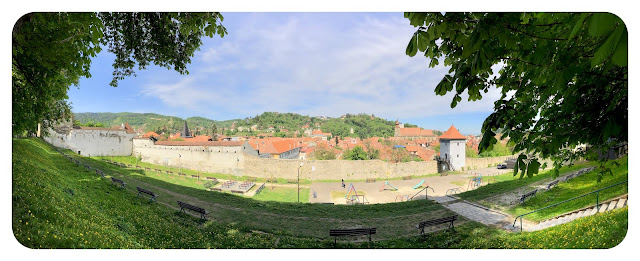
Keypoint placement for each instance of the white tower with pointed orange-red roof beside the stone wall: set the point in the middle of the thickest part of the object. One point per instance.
(452, 148)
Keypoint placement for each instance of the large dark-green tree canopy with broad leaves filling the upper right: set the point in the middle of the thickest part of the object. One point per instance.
(563, 77)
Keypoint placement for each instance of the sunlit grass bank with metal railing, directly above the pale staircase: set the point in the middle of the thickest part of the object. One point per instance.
(572, 188)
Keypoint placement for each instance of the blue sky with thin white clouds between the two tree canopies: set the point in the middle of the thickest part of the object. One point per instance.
(316, 64)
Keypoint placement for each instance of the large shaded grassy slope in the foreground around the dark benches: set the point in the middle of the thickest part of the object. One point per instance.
(57, 204)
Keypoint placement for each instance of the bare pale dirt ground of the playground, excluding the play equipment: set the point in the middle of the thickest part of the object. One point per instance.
(374, 195)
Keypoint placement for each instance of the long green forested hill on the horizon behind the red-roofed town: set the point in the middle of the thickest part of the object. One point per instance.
(363, 125)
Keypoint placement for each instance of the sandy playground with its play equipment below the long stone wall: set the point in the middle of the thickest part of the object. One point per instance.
(390, 191)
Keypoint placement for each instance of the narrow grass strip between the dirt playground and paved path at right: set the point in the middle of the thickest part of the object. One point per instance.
(506, 183)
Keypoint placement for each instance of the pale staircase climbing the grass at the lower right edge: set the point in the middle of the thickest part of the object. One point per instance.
(584, 212)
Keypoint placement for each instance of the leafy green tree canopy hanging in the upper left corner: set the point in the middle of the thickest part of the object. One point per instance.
(52, 51)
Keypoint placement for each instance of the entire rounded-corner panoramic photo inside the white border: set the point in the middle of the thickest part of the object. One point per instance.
(319, 130)
